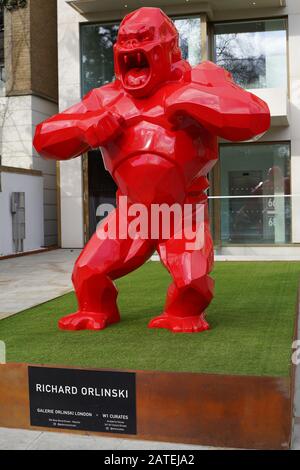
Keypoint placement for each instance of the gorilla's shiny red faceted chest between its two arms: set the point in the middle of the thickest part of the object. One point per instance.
(148, 131)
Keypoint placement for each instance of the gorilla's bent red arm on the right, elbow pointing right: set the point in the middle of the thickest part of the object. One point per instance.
(216, 102)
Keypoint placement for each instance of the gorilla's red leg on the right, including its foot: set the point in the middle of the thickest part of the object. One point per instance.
(192, 288)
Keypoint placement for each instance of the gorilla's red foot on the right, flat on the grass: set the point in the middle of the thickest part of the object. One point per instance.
(194, 324)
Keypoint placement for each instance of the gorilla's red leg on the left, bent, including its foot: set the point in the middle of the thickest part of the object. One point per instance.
(102, 261)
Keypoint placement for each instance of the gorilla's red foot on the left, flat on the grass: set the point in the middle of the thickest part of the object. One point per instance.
(87, 321)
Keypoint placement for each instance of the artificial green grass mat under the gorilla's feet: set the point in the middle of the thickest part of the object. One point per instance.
(252, 319)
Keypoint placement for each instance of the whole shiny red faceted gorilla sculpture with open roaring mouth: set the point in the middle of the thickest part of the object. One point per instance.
(157, 125)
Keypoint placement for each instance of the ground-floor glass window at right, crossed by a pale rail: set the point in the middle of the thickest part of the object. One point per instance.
(255, 190)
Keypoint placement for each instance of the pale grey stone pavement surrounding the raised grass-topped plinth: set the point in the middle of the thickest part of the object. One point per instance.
(51, 272)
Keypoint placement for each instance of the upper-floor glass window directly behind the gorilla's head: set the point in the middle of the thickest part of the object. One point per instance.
(97, 61)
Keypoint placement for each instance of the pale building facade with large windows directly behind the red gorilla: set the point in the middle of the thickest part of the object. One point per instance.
(255, 188)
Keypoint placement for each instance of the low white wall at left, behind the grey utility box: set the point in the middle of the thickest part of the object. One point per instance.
(34, 212)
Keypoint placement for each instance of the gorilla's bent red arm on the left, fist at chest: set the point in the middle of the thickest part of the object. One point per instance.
(82, 127)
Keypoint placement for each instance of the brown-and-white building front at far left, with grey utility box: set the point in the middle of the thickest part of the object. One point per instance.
(28, 95)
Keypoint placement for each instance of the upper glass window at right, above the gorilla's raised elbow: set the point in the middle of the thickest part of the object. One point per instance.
(255, 52)
